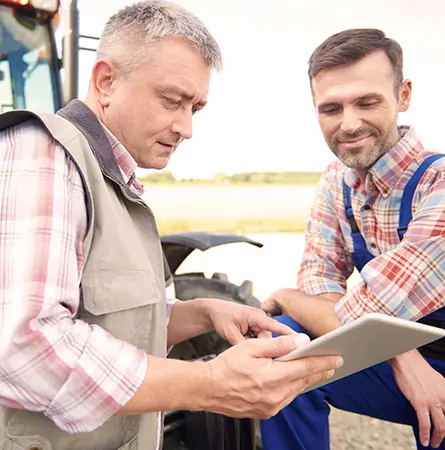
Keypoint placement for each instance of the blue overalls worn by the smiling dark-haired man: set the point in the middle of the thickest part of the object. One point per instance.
(304, 424)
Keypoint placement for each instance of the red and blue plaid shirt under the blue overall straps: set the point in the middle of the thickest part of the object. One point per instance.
(405, 279)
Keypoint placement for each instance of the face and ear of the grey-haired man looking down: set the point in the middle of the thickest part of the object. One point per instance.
(150, 110)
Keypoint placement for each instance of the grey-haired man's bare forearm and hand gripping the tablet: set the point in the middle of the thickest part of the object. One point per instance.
(243, 381)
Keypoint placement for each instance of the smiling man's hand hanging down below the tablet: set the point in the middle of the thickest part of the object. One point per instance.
(425, 390)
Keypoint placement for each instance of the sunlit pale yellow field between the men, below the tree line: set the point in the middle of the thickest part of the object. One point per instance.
(243, 208)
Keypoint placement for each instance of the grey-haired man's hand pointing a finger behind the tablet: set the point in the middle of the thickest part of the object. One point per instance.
(236, 323)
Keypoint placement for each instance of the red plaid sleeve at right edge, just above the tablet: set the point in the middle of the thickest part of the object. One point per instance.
(408, 281)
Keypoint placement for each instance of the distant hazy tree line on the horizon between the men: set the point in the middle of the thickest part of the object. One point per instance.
(303, 178)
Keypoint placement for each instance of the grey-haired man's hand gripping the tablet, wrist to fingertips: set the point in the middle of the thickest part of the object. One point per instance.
(247, 382)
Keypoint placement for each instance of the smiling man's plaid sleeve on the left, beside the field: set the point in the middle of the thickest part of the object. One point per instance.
(325, 265)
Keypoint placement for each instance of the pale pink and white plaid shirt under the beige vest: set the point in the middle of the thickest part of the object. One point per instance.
(76, 374)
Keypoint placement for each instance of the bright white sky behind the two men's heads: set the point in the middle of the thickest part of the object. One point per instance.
(260, 115)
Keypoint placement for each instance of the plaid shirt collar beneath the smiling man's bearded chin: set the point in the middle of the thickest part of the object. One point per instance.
(385, 173)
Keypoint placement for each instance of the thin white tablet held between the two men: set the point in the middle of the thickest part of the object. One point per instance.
(367, 341)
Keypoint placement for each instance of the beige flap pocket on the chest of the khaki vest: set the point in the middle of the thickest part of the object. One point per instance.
(105, 293)
